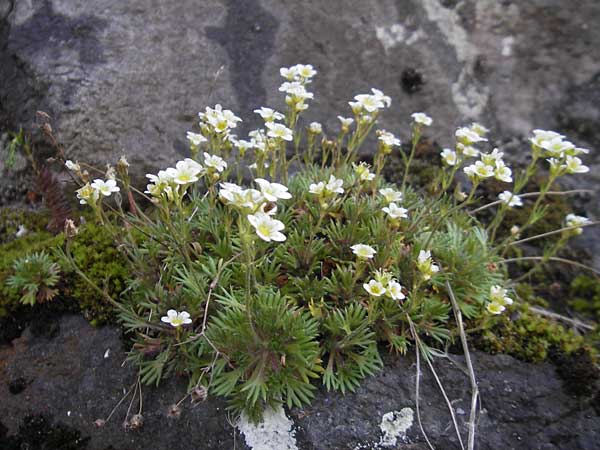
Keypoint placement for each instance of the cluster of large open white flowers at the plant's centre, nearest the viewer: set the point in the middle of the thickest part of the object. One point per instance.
(255, 204)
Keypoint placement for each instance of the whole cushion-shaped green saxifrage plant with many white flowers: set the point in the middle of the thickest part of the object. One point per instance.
(256, 281)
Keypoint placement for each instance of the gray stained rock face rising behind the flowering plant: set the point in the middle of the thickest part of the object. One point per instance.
(129, 77)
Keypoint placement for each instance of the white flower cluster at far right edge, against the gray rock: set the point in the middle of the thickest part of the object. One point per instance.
(562, 154)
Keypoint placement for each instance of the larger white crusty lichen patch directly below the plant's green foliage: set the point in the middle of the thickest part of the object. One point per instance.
(274, 433)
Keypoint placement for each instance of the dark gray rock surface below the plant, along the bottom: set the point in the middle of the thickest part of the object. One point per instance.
(72, 381)
